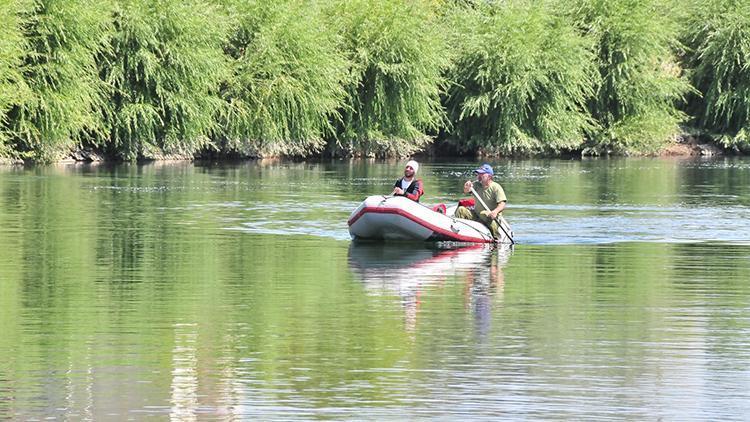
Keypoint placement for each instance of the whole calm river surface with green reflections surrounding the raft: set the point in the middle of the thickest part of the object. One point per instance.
(233, 292)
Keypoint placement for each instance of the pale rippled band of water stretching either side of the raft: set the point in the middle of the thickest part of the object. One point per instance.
(532, 224)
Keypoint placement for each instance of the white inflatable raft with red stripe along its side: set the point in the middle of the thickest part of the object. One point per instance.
(398, 218)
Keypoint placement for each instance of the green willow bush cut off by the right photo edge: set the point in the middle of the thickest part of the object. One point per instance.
(718, 35)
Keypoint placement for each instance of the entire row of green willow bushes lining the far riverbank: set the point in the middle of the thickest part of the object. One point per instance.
(137, 78)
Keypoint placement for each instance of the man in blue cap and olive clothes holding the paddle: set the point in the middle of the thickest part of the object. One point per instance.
(493, 196)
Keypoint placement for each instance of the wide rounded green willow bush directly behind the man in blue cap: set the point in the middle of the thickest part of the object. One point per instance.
(521, 79)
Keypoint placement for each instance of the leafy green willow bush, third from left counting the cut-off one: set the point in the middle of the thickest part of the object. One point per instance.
(165, 65)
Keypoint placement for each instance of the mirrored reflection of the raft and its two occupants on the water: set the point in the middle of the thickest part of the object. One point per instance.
(409, 270)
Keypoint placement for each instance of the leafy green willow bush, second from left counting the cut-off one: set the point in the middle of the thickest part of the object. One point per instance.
(62, 39)
